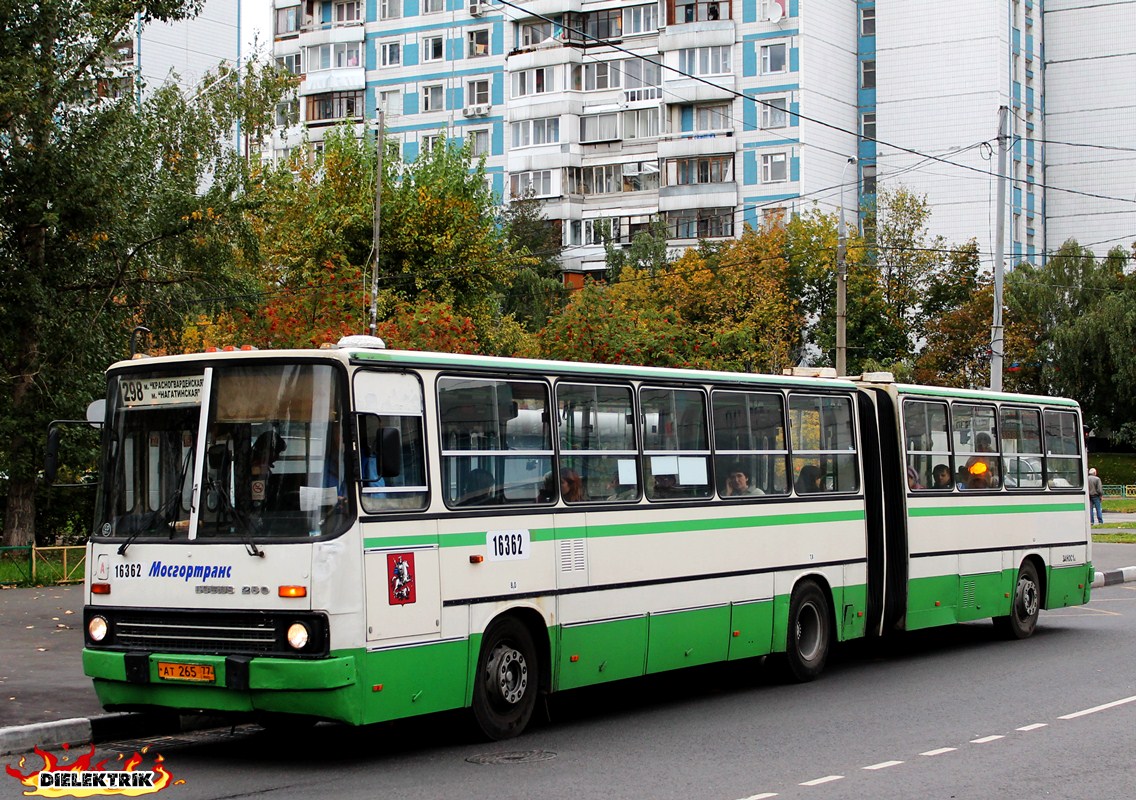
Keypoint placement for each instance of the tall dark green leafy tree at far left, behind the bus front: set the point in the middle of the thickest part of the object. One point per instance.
(112, 213)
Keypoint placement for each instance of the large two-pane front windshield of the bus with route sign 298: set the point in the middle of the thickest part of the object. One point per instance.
(266, 462)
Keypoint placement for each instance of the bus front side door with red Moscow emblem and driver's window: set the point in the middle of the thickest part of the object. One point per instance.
(402, 555)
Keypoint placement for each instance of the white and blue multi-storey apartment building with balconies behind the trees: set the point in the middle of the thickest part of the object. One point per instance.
(707, 114)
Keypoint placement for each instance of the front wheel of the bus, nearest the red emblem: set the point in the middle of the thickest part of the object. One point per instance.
(506, 684)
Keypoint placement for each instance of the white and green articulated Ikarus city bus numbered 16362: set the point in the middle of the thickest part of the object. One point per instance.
(361, 535)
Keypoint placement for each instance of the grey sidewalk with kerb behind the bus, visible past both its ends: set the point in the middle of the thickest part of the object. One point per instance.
(47, 701)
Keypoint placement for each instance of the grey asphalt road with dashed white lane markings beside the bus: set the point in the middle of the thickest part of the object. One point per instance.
(943, 714)
